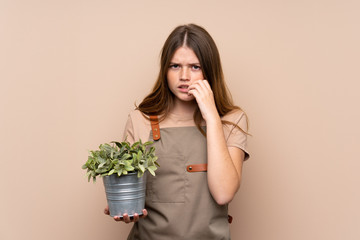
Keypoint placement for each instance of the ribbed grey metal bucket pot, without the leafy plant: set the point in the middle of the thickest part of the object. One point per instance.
(125, 194)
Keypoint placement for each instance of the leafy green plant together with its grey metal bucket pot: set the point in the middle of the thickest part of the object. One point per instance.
(122, 167)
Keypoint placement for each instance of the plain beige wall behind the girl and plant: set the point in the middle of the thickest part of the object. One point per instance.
(71, 71)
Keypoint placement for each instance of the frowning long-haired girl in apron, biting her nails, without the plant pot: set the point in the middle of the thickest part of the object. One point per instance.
(200, 139)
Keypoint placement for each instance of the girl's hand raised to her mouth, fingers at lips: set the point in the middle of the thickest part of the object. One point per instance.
(204, 96)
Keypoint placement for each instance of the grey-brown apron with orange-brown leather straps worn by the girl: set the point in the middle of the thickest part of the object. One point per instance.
(178, 200)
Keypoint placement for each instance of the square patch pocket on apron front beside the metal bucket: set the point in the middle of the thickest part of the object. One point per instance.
(168, 186)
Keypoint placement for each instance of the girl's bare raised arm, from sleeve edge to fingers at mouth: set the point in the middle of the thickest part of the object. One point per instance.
(224, 167)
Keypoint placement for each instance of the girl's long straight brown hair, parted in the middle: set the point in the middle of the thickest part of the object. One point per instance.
(160, 100)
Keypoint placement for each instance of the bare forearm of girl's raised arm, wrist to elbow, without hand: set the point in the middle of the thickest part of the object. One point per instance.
(223, 177)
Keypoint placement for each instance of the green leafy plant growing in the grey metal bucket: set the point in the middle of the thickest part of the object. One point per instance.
(121, 158)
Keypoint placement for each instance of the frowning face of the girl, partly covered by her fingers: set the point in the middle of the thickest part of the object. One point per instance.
(184, 69)
